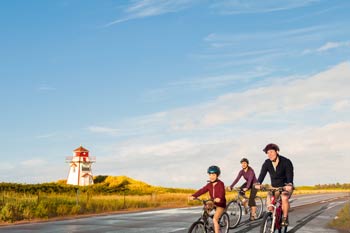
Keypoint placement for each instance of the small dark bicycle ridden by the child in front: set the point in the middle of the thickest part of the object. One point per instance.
(205, 223)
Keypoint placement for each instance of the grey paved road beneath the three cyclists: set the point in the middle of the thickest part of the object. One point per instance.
(309, 213)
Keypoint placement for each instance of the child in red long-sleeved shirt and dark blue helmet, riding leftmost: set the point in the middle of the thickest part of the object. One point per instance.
(216, 189)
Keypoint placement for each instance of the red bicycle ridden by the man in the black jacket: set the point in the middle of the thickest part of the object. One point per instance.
(272, 219)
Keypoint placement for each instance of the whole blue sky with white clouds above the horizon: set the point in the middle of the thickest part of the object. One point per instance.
(159, 90)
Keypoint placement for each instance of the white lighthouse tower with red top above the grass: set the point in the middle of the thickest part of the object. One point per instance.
(80, 167)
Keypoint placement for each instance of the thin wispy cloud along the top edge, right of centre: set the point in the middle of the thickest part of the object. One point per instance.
(251, 6)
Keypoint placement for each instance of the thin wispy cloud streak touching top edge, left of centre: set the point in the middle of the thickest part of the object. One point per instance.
(147, 8)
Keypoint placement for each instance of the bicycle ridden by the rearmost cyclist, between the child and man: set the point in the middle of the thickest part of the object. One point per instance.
(234, 208)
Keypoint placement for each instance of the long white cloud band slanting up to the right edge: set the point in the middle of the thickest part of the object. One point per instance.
(292, 96)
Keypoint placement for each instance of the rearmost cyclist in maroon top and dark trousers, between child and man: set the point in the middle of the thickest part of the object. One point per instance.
(249, 175)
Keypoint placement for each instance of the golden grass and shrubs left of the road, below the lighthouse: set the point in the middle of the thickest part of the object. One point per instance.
(48, 200)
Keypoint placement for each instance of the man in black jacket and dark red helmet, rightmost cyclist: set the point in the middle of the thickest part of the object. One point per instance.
(281, 173)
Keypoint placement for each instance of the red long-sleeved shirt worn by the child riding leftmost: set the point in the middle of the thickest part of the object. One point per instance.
(215, 191)
